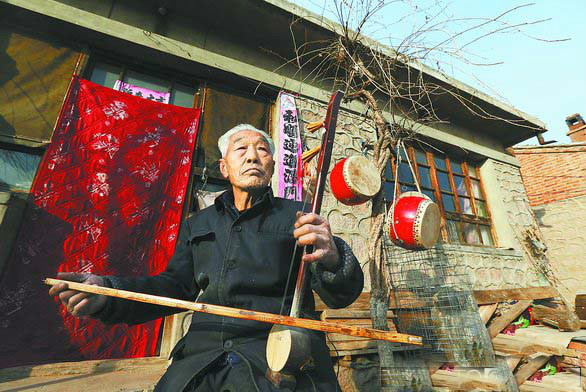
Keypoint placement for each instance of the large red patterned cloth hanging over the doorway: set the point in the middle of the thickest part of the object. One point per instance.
(107, 199)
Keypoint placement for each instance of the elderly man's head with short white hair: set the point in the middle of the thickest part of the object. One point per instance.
(248, 163)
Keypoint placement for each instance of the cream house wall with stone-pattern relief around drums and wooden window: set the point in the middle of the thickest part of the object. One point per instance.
(485, 267)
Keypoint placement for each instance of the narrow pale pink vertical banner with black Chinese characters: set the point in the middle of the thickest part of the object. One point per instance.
(289, 149)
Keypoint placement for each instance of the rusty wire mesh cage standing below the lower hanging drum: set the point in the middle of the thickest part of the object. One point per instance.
(433, 299)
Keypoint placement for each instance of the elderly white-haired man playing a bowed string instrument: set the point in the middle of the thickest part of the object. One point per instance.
(236, 253)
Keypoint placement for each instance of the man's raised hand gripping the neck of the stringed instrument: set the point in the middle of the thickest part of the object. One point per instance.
(314, 230)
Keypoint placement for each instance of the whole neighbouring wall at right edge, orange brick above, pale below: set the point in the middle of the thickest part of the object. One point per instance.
(555, 179)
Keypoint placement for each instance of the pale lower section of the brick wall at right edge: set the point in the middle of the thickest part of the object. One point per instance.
(563, 225)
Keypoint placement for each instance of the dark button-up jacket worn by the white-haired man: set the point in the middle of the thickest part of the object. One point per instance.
(240, 260)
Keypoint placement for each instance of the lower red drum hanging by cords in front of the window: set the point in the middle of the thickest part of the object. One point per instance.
(415, 221)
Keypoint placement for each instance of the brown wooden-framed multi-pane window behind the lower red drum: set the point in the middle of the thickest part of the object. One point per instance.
(454, 185)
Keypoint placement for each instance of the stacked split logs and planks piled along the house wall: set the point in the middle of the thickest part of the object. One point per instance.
(556, 339)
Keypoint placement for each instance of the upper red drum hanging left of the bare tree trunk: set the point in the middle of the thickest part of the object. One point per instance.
(354, 180)
